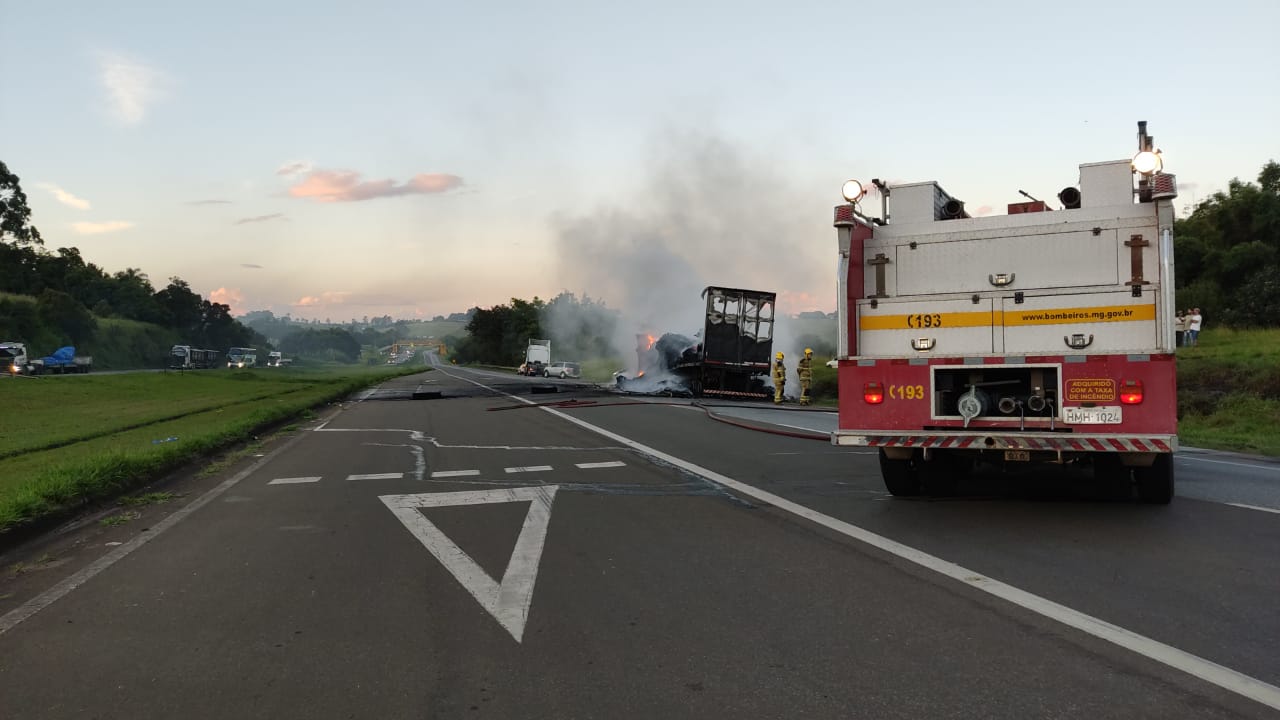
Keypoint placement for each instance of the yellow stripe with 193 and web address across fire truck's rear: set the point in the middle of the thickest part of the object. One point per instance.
(1009, 318)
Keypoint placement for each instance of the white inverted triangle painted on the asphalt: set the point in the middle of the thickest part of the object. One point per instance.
(508, 601)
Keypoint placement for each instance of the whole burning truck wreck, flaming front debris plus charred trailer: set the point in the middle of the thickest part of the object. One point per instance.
(732, 359)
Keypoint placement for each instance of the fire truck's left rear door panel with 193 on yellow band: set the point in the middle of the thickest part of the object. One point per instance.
(916, 329)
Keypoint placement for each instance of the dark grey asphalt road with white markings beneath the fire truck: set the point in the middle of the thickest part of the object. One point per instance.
(476, 557)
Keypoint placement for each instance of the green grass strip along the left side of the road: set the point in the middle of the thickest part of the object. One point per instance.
(38, 482)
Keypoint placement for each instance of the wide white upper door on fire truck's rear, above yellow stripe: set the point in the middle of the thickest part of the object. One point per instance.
(1055, 261)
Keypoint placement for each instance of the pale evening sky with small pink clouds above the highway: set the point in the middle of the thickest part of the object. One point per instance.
(336, 161)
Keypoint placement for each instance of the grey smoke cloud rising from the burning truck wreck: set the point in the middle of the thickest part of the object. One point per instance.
(710, 212)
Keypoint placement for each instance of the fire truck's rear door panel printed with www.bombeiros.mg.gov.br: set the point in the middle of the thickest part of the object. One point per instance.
(1082, 323)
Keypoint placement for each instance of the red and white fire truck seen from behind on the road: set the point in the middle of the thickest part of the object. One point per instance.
(1041, 336)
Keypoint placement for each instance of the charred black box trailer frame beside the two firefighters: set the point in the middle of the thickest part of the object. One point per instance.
(737, 345)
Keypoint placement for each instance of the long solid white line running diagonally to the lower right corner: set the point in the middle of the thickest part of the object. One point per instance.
(1148, 648)
